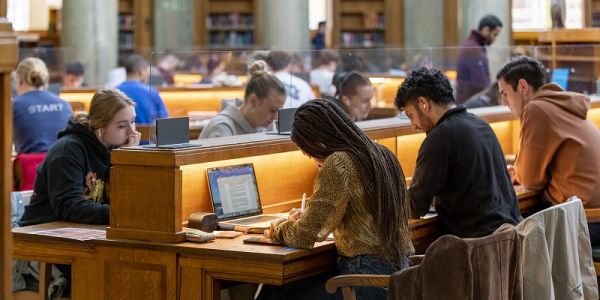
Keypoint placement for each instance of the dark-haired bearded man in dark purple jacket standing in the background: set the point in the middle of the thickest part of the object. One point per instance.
(472, 67)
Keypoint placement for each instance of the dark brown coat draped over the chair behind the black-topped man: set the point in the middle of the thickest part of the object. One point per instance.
(455, 268)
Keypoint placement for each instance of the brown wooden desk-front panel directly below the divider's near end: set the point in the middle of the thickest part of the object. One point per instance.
(138, 274)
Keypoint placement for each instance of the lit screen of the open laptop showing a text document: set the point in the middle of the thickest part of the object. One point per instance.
(233, 191)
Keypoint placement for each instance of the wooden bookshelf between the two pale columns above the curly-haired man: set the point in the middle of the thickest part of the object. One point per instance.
(365, 23)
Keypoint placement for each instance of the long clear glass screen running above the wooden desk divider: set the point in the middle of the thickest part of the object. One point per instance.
(200, 84)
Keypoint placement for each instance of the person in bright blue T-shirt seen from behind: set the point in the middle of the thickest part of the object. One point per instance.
(149, 105)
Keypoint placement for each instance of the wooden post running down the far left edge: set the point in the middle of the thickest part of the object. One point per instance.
(8, 60)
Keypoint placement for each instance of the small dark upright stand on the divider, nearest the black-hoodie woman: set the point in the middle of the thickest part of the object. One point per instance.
(172, 133)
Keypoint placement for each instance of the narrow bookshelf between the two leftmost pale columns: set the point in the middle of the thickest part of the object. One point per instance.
(135, 27)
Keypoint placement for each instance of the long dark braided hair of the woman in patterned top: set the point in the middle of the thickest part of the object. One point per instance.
(321, 128)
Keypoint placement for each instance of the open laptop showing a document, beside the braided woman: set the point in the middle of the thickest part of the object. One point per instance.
(234, 196)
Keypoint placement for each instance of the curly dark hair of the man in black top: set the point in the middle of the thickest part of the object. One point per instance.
(429, 83)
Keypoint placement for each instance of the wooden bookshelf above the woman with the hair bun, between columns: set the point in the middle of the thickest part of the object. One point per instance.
(227, 24)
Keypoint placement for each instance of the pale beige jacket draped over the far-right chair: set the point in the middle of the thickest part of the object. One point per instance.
(557, 254)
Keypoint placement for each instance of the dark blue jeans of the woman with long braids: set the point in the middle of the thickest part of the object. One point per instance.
(314, 287)
